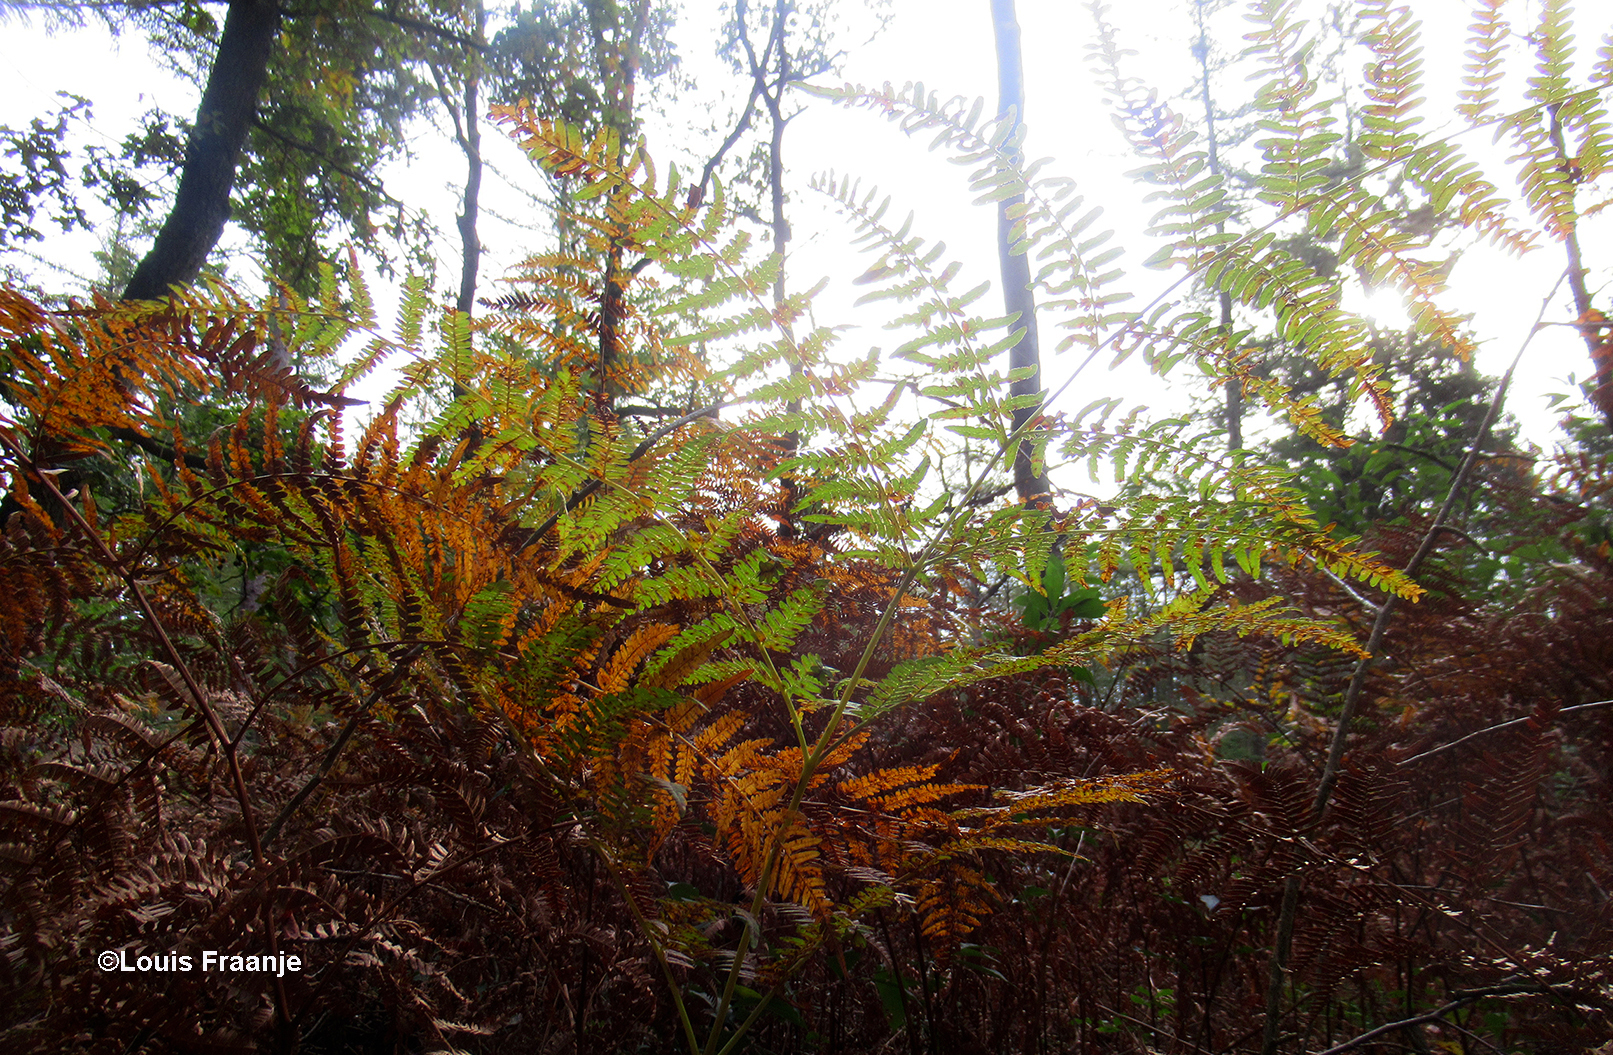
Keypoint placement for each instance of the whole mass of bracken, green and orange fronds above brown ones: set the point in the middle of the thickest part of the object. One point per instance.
(528, 727)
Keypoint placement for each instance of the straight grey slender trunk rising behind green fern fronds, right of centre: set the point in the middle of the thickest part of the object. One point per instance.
(1017, 267)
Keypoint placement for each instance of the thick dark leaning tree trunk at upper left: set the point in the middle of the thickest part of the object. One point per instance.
(209, 175)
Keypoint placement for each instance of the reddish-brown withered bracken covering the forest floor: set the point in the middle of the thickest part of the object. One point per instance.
(449, 888)
